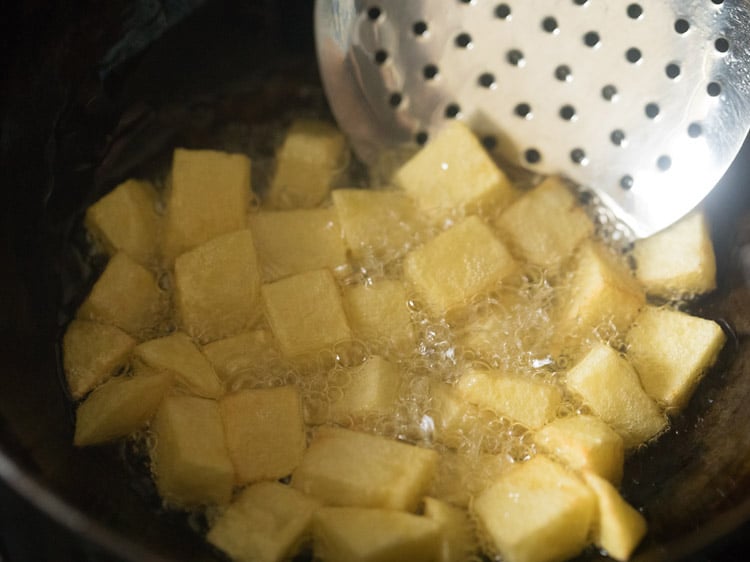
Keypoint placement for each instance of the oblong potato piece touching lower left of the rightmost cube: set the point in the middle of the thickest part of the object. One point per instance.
(611, 388)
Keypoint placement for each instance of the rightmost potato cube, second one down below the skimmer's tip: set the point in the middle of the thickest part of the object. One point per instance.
(670, 350)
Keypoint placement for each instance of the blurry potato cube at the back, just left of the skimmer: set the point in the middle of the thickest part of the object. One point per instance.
(307, 162)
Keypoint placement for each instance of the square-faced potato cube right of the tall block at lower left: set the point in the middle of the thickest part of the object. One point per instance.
(265, 432)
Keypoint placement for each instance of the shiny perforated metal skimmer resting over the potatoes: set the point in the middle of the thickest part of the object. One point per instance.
(647, 103)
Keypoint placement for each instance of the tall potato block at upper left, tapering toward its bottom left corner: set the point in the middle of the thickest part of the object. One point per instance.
(209, 195)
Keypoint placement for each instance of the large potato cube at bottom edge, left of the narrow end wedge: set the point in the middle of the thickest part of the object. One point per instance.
(536, 512)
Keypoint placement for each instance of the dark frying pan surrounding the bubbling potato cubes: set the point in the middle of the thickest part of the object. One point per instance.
(91, 96)
